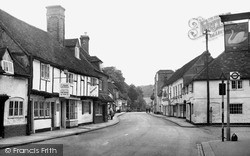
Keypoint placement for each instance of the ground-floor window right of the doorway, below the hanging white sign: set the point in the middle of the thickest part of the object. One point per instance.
(71, 110)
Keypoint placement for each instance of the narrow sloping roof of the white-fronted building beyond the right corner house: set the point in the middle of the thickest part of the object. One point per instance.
(181, 71)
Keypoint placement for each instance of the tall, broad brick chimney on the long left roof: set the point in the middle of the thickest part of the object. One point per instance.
(56, 22)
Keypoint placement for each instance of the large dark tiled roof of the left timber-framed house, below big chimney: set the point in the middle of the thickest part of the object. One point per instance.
(41, 45)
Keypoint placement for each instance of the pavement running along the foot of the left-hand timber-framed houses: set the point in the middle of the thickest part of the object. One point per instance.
(37, 137)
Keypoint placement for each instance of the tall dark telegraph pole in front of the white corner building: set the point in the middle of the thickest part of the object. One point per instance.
(208, 92)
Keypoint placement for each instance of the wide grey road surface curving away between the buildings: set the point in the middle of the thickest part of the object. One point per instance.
(138, 133)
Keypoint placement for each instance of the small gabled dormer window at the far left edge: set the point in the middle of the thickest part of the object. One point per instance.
(7, 63)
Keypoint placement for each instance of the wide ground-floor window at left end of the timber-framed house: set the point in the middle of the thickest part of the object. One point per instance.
(41, 109)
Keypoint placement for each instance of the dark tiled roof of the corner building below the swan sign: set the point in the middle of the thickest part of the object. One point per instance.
(228, 62)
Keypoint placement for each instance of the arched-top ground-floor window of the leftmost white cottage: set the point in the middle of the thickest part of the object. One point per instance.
(16, 108)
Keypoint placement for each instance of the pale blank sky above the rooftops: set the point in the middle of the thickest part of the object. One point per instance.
(138, 37)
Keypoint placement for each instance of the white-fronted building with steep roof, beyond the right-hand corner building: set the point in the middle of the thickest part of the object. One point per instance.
(176, 89)
